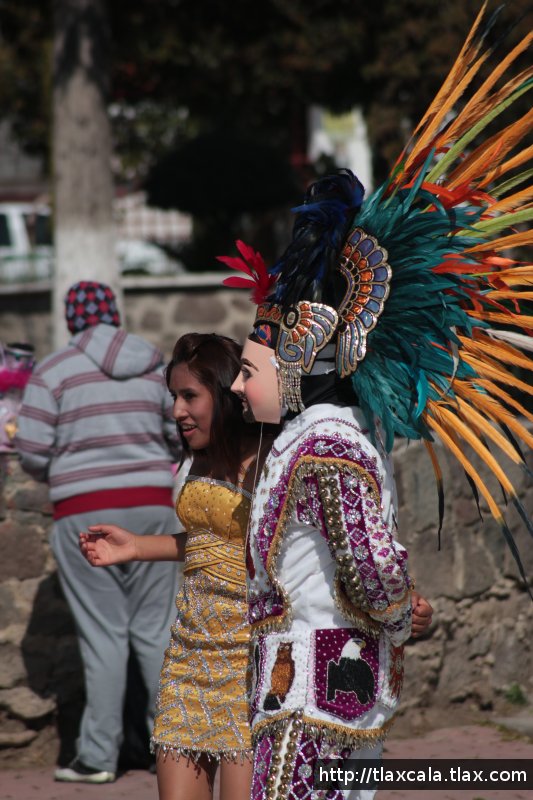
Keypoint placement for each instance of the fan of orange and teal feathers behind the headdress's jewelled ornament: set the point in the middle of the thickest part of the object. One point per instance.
(454, 217)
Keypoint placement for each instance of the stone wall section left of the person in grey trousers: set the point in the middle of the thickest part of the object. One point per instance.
(39, 660)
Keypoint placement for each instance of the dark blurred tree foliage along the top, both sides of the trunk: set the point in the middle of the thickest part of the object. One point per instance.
(183, 67)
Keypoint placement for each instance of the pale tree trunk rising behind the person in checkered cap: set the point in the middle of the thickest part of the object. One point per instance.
(82, 179)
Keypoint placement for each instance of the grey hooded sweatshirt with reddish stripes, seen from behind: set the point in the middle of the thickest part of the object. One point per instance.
(97, 415)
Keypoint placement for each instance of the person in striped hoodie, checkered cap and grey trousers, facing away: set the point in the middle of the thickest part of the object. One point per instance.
(96, 424)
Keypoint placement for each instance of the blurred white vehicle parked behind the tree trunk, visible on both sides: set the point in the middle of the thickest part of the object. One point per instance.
(27, 252)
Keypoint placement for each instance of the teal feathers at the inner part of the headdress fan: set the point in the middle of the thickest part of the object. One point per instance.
(408, 353)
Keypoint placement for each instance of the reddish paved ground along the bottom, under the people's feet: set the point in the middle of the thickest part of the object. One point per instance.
(487, 742)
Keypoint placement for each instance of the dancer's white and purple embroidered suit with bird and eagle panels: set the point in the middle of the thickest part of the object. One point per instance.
(328, 593)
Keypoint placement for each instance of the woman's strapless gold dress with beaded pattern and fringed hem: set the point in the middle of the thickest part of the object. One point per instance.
(202, 705)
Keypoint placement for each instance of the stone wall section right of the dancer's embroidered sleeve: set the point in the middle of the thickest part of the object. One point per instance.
(477, 661)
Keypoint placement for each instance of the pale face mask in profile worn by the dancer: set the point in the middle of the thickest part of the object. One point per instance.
(257, 383)
